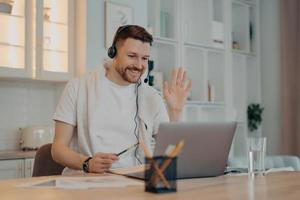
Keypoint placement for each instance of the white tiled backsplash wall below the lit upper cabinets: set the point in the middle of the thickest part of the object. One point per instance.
(25, 103)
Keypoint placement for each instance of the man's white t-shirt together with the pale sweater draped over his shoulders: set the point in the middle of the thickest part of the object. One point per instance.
(104, 112)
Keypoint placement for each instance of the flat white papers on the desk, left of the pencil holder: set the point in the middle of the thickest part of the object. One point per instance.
(110, 181)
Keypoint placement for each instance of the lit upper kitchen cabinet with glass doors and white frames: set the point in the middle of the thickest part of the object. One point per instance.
(36, 40)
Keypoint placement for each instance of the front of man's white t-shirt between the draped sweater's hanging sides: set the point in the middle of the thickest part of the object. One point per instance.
(115, 127)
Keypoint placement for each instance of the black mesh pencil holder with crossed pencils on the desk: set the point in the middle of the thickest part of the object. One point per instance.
(161, 174)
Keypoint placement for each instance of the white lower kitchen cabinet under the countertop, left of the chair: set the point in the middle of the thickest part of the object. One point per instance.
(16, 168)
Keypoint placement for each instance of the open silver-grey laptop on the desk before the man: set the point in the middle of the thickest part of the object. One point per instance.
(206, 149)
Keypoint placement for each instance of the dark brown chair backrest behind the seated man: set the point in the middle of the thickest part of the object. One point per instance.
(44, 165)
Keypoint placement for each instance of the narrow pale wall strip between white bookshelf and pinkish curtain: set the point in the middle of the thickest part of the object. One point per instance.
(270, 66)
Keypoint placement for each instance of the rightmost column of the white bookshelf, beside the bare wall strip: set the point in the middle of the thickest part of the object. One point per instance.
(246, 67)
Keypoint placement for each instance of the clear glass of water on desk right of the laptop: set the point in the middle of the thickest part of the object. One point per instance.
(256, 155)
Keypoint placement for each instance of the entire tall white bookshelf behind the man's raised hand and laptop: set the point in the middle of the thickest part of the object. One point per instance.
(200, 38)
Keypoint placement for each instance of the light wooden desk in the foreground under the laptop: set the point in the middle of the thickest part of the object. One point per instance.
(283, 185)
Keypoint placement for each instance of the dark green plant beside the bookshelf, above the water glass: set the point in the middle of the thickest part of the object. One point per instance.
(254, 112)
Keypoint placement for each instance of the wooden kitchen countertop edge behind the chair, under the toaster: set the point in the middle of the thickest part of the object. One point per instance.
(16, 154)
